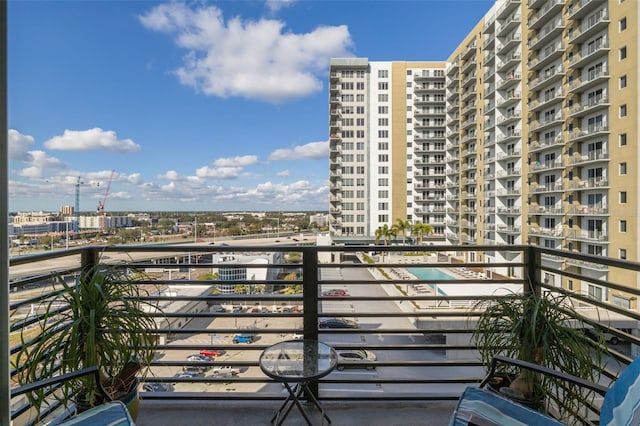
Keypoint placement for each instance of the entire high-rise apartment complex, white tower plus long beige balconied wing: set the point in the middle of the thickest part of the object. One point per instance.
(527, 133)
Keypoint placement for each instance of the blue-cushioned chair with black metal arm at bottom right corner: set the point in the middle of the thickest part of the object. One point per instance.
(480, 406)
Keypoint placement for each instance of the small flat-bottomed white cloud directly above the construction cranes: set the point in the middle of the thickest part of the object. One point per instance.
(92, 139)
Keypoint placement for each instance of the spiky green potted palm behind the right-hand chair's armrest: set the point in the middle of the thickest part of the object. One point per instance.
(543, 329)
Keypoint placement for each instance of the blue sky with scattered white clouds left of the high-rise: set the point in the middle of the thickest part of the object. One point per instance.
(198, 105)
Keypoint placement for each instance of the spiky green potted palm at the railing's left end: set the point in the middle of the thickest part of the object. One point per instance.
(98, 321)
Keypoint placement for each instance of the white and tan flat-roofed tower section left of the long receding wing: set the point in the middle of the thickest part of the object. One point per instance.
(387, 145)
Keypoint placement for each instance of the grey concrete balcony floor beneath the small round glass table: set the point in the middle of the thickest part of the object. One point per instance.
(245, 413)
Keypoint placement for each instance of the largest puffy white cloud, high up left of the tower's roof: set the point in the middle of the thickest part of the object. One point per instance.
(251, 59)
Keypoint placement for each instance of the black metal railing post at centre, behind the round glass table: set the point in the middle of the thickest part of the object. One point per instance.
(310, 299)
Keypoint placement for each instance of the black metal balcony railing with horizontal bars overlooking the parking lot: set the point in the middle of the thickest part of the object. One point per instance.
(403, 299)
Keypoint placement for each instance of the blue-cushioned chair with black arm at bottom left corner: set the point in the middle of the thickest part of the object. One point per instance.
(112, 413)
